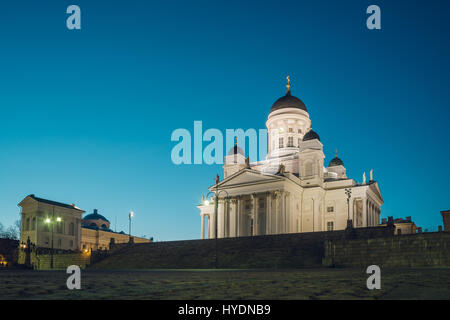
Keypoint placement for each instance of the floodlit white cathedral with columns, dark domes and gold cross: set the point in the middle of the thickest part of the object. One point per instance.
(291, 191)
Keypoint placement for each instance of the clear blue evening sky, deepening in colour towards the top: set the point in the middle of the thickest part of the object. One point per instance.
(86, 116)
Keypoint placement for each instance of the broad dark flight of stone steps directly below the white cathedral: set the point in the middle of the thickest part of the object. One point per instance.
(267, 251)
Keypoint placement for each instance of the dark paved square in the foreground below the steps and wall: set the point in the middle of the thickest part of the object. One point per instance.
(227, 284)
